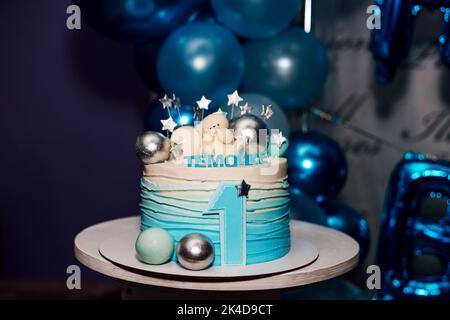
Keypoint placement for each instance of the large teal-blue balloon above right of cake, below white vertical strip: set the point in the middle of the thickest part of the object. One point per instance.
(291, 68)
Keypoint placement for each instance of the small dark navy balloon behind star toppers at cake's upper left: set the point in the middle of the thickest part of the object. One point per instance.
(155, 113)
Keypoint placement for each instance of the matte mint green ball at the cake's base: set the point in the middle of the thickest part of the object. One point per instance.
(154, 246)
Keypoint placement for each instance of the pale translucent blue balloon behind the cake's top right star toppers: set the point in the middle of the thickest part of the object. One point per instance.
(277, 121)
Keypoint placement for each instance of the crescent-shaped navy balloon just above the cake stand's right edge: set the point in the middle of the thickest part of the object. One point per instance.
(343, 218)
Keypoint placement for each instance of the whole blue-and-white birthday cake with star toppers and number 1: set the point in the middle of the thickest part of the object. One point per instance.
(220, 179)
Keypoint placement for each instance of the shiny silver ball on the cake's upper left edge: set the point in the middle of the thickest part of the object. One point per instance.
(152, 147)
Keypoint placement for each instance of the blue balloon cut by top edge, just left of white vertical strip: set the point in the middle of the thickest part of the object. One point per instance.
(256, 19)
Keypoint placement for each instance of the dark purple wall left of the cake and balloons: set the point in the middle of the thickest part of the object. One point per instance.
(71, 105)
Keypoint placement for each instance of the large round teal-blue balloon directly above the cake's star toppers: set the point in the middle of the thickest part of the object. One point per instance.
(200, 59)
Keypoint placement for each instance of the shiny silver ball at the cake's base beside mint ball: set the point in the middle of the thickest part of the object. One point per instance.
(195, 252)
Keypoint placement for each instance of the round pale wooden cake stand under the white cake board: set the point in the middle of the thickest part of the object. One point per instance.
(338, 253)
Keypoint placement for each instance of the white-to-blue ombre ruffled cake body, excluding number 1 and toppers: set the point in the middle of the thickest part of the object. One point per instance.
(175, 197)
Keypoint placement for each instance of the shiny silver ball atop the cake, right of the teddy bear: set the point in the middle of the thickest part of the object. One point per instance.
(247, 126)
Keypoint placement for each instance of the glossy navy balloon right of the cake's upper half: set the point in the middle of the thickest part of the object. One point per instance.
(317, 165)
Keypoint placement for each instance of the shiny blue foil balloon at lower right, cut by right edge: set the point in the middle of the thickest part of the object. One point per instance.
(414, 245)
